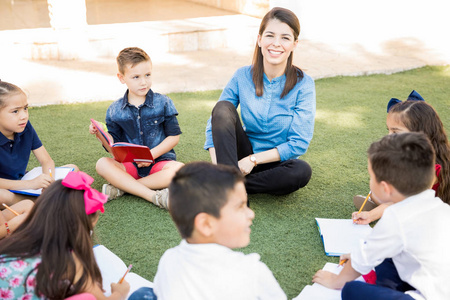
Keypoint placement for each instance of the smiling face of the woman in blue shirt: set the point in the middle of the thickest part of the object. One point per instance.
(276, 43)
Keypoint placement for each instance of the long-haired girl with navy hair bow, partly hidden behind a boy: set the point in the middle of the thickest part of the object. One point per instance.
(413, 115)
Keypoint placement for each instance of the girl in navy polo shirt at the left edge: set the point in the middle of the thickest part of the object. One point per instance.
(17, 140)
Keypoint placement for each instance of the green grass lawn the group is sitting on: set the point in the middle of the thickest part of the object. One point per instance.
(351, 113)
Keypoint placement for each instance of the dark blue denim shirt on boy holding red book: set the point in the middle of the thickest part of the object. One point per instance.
(148, 125)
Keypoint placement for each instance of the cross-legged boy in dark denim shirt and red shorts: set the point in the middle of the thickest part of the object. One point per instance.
(145, 118)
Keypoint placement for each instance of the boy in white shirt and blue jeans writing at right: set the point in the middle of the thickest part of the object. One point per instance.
(410, 245)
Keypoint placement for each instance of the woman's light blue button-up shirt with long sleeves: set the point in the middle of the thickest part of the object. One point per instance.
(269, 121)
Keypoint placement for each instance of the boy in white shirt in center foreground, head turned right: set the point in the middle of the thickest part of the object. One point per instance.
(208, 204)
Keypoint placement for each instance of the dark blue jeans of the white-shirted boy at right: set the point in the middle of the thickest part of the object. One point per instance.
(389, 285)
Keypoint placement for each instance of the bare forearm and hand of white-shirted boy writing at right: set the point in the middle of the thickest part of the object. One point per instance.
(334, 281)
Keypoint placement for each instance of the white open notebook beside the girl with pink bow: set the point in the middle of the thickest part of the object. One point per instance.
(113, 269)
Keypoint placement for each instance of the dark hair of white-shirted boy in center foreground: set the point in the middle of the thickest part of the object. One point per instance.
(200, 187)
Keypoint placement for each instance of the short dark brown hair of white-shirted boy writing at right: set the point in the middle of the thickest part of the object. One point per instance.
(404, 160)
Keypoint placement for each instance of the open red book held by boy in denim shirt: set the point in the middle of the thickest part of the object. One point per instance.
(123, 152)
